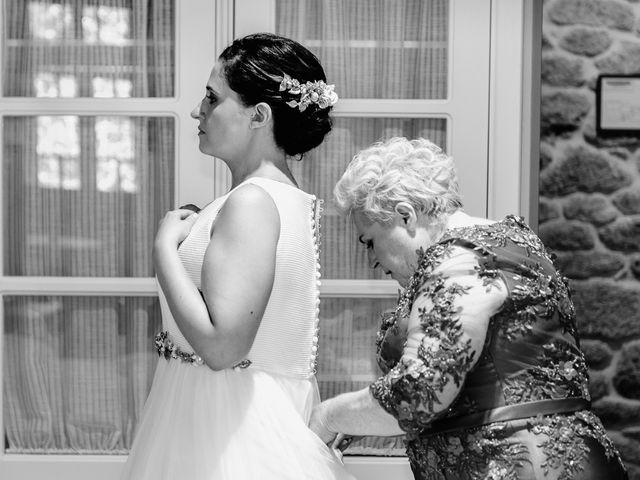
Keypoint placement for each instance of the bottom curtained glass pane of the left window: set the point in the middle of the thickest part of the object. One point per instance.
(77, 371)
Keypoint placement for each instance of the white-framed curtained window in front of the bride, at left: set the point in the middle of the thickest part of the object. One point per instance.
(94, 126)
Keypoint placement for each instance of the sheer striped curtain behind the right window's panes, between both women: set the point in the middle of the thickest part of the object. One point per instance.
(371, 49)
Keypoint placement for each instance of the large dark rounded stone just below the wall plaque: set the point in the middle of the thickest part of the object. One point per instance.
(583, 170)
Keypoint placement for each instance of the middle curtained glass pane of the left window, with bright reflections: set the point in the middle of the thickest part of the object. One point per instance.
(83, 195)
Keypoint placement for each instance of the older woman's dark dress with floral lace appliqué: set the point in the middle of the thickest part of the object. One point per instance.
(496, 386)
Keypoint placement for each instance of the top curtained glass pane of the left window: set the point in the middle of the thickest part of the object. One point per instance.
(84, 48)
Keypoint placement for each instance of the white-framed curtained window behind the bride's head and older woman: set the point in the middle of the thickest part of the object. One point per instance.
(398, 72)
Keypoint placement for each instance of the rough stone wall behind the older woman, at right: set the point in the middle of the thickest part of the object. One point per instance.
(590, 200)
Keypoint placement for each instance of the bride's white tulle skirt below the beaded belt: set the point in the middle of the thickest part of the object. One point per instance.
(235, 424)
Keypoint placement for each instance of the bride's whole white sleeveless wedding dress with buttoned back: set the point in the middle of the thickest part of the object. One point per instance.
(248, 422)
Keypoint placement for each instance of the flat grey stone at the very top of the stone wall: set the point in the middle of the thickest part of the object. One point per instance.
(607, 13)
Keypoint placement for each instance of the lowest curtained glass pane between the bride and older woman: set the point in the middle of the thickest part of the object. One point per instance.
(347, 360)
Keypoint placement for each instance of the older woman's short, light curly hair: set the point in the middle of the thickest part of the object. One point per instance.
(399, 170)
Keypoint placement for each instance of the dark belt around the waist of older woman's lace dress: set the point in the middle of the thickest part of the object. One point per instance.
(508, 413)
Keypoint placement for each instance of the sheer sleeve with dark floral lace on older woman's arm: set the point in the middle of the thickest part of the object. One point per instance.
(447, 327)
